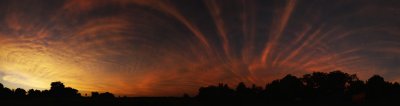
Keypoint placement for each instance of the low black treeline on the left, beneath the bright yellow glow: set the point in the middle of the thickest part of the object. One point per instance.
(57, 90)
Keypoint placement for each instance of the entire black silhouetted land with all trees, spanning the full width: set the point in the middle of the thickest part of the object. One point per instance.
(315, 89)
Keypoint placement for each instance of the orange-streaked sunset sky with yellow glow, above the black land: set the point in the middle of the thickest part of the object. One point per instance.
(171, 47)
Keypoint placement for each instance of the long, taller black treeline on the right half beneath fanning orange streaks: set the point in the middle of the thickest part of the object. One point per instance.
(333, 88)
